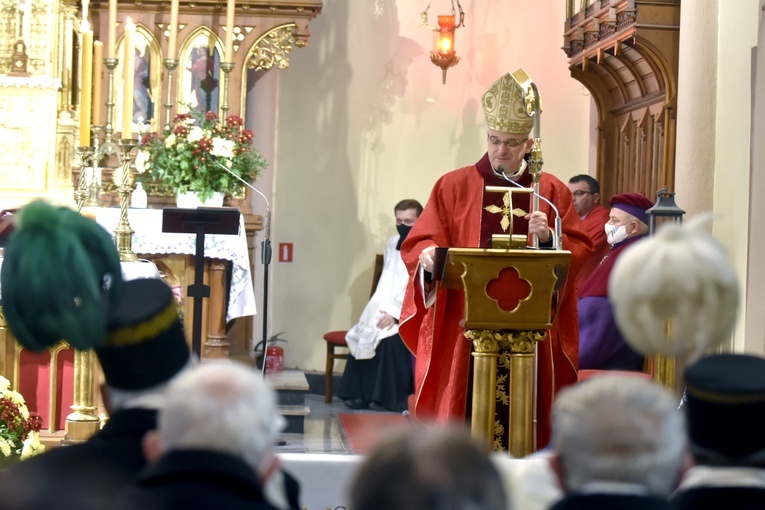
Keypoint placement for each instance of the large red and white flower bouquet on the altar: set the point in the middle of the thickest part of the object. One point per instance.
(188, 156)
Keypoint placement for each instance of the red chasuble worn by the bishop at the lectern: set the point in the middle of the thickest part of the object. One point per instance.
(454, 217)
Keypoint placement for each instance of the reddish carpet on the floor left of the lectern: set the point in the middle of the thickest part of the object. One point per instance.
(365, 430)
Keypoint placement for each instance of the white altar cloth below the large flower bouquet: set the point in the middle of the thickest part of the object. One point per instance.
(150, 240)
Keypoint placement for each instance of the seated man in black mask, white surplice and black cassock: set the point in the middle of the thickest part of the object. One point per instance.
(378, 371)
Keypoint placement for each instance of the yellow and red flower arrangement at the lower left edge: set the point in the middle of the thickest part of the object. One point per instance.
(18, 427)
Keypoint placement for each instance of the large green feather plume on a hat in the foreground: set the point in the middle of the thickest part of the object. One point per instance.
(60, 277)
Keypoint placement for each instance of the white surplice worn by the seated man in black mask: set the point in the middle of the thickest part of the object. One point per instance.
(364, 337)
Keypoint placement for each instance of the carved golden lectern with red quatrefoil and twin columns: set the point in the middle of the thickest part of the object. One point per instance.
(509, 301)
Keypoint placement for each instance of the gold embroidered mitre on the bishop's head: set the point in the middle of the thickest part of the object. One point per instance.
(504, 104)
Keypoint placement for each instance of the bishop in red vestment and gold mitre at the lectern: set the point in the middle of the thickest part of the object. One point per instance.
(455, 216)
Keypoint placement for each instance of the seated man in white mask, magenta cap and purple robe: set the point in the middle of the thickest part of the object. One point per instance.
(601, 345)
